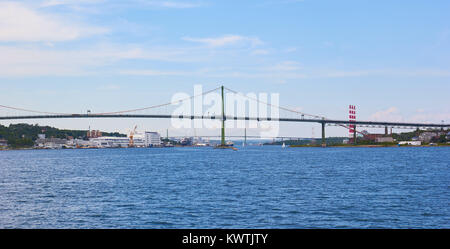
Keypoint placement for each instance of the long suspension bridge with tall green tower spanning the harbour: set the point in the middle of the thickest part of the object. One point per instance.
(295, 116)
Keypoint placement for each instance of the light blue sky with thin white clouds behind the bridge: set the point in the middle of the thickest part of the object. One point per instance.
(389, 58)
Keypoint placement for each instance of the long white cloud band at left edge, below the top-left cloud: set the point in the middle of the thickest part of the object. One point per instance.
(16, 61)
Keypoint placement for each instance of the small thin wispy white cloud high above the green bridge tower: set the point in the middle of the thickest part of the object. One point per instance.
(226, 40)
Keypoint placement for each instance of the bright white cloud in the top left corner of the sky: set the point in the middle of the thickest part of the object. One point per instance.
(19, 22)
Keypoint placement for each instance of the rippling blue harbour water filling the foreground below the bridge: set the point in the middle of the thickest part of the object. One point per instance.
(254, 187)
